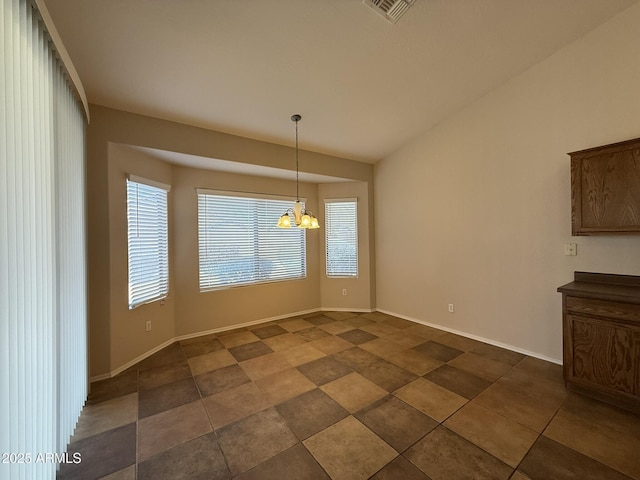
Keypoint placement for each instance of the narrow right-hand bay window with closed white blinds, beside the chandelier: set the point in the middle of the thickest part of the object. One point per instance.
(341, 218)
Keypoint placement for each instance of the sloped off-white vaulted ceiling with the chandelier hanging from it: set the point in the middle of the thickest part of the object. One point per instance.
(364, 87)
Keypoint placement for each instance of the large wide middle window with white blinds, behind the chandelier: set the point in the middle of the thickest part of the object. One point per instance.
(240, 244)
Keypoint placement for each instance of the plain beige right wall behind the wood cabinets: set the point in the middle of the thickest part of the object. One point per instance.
(476, 211)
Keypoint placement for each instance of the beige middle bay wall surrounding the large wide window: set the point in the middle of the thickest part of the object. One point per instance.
(198, 312)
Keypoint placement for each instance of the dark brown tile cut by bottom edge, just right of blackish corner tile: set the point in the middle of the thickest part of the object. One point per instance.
(197, 459)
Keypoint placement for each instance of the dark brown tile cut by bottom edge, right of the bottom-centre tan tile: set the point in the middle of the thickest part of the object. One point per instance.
(444, 455)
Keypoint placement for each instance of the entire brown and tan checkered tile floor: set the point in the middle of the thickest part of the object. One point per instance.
(347, 396)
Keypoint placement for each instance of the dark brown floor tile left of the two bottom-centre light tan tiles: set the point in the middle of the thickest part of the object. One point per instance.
(311, 412)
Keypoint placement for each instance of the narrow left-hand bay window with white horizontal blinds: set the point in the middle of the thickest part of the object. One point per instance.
(148, 241)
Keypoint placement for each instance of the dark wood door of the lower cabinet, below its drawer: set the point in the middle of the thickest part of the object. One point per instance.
(603, 355)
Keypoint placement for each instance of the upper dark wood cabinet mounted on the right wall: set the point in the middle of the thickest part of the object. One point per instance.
(605, 190)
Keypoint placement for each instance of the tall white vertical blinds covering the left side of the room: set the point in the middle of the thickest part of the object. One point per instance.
(43, 334)
